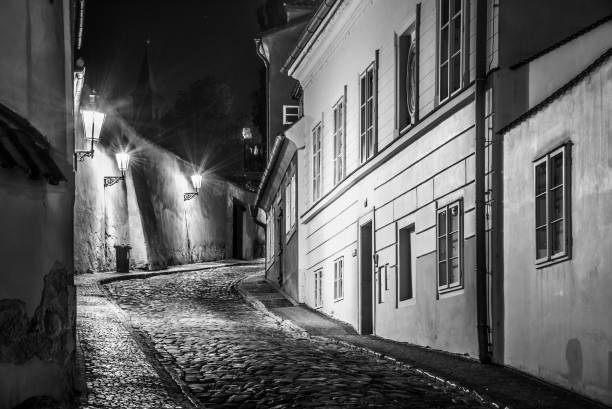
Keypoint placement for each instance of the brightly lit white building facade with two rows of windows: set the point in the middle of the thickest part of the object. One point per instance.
(386, 188)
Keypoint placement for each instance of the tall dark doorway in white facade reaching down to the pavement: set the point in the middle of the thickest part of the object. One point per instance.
(367, 312)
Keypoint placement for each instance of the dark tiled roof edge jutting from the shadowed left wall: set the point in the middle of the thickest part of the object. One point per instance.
(22, 146)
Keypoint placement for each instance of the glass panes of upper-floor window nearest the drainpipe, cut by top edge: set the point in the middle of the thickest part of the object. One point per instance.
(450, 47)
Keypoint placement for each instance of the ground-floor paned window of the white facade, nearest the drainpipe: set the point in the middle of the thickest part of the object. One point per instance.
(449, 247)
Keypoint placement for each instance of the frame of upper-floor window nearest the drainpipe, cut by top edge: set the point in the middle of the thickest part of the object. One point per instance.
(460, 54)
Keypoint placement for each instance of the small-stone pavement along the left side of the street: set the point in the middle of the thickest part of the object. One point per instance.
(117, 370)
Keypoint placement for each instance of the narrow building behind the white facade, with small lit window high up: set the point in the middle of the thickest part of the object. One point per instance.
(277, 192)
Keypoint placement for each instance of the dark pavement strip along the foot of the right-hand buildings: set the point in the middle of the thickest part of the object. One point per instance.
(493, 383)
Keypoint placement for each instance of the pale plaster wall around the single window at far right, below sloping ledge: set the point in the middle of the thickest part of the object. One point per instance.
(557, 318)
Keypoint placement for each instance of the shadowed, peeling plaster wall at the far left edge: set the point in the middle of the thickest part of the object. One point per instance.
(37, 298)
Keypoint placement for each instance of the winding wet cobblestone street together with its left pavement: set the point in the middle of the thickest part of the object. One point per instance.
(225, 353)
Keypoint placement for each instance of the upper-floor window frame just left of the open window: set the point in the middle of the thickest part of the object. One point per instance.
(363, 112)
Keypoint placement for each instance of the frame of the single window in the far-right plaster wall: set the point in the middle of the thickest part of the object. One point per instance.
(546, 160)
